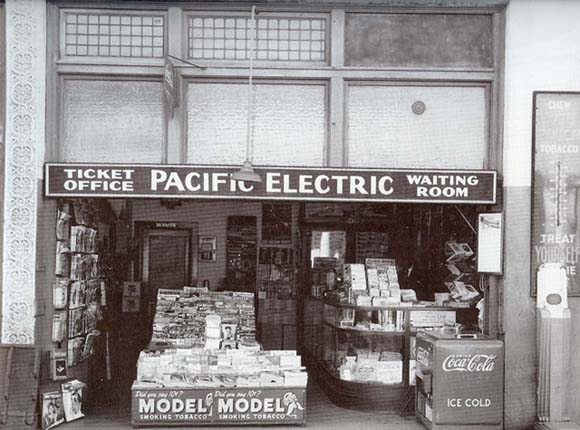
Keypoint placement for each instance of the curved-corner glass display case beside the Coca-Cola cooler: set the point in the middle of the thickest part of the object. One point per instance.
(364, 355)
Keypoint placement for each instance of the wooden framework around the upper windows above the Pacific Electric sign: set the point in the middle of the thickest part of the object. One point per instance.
(337, 75)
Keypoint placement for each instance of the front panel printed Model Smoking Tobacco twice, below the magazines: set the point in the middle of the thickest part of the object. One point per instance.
(218, 406)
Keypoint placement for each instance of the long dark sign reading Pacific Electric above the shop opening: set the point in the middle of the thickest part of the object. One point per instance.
(278, 183)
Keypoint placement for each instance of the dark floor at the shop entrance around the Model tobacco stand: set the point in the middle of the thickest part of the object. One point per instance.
(321, 414)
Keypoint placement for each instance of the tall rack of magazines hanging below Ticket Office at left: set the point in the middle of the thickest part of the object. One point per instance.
(79, 286)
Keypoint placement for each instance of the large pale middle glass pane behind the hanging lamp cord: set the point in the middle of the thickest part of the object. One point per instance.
(290, 124)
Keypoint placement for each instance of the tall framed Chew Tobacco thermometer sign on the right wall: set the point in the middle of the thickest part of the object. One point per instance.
(555, 185)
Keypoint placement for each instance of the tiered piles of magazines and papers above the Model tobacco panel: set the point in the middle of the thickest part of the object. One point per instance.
(207, 339)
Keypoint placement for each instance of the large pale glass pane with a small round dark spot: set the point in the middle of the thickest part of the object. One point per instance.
(383, 130)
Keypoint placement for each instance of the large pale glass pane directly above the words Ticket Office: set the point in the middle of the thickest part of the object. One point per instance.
(112, 121)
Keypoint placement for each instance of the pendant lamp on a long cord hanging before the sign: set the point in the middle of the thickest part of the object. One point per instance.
(246, 172)
